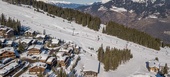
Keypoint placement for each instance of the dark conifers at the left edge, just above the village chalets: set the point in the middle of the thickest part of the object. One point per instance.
(15, 25)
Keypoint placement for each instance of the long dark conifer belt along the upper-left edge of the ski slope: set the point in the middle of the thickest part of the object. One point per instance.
(66, 13)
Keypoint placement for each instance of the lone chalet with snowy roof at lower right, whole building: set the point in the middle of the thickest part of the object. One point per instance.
(153, 66)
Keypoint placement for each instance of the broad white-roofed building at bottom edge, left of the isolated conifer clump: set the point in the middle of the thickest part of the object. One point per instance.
(91, 68)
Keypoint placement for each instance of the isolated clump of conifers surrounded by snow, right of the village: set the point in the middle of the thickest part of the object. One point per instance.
(112, 58)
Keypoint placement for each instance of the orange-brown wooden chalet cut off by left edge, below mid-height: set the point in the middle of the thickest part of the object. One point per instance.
(7, 52)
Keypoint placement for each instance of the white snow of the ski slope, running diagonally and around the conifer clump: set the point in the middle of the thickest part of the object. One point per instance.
(86, 38)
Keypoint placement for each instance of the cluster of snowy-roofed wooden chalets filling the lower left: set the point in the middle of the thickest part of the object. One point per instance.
(33, 54)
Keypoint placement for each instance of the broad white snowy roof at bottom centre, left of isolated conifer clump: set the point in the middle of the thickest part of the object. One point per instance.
(91, 65)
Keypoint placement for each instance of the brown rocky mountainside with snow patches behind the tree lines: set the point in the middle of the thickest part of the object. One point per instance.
(150, 16)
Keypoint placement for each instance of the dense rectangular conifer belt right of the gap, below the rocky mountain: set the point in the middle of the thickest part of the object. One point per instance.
(133, 35)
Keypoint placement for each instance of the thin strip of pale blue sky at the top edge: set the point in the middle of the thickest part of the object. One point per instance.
(81, 1)
